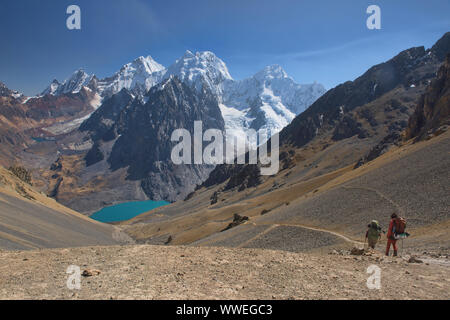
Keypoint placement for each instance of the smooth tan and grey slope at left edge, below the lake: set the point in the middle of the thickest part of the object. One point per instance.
(30, 220)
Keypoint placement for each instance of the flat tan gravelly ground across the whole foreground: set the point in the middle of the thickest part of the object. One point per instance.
(155, 272)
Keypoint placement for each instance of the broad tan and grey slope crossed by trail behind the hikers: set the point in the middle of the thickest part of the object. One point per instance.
(318, 213)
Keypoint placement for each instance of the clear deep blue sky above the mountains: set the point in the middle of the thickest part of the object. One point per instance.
(324, 41)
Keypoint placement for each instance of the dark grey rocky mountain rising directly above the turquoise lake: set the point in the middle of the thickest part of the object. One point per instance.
(145, 130)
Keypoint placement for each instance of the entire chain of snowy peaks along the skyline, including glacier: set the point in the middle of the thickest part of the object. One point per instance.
(268, 100)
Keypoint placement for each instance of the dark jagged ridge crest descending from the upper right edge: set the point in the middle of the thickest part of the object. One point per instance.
(410, 68)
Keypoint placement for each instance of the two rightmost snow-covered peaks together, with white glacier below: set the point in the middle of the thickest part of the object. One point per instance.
(269, 100)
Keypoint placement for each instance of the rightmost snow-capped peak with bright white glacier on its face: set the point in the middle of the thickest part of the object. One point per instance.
(269, 100)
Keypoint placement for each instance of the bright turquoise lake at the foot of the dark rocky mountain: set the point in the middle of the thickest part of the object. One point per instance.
(127, 210)
